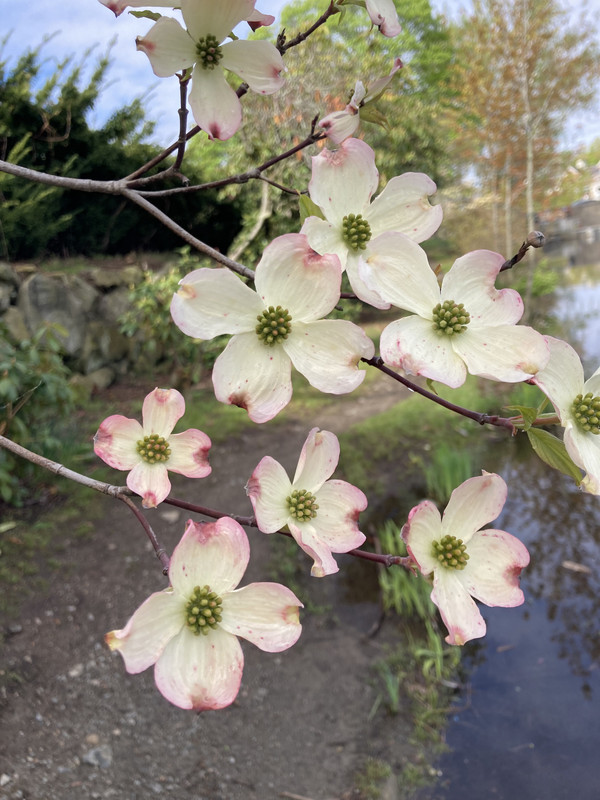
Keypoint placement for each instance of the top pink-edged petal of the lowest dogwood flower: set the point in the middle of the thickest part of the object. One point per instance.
(210, 553)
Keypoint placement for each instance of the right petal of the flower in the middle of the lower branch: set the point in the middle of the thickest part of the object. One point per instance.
(336, 523)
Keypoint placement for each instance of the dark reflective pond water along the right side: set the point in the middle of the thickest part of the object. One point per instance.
(526, 726)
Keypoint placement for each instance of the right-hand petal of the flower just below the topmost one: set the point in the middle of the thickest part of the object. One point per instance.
(403, 207)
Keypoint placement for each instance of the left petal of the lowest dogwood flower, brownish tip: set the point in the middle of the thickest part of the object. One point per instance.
(153, 625)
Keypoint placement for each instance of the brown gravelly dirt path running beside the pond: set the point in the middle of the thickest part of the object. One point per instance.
(76, 726)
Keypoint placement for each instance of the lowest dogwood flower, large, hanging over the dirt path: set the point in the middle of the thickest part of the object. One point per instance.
(189, 631)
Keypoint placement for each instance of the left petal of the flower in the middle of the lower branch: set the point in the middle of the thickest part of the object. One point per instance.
(268, 488)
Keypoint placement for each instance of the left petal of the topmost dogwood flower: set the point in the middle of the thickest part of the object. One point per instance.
(168, 46)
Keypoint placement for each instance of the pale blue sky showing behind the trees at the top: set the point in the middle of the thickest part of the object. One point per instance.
(78, 24)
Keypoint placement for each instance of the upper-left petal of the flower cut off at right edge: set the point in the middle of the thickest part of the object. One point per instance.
(562, 377)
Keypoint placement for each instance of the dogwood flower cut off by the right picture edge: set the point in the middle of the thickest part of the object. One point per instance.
(577, 404)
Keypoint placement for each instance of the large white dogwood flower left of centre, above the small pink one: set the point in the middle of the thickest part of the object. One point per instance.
(278, 325)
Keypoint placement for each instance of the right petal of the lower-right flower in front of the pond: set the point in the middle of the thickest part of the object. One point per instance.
(492, 573)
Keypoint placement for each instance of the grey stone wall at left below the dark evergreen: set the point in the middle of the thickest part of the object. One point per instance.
(86, 306)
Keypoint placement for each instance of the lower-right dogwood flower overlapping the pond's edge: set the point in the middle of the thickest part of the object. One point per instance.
(464, 560)
